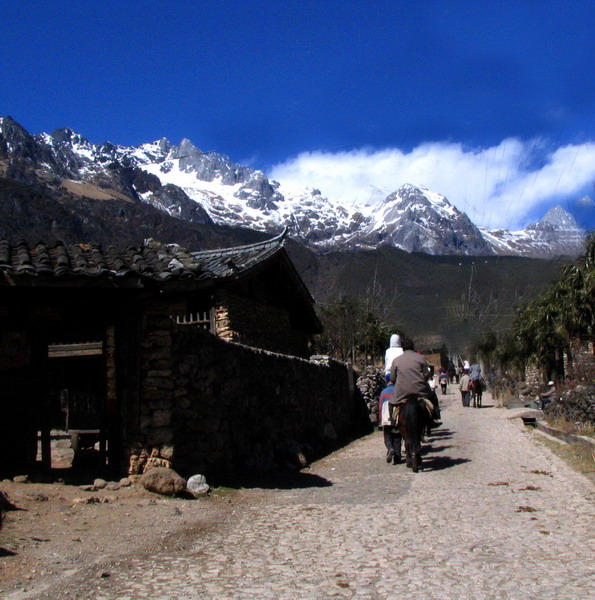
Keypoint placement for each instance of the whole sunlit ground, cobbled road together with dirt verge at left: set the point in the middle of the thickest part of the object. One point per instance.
(493, 515)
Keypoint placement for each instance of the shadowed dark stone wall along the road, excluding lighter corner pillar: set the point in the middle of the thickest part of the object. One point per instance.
(242, 408)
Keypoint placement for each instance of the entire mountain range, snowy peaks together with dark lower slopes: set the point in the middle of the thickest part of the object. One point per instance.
(440, 277)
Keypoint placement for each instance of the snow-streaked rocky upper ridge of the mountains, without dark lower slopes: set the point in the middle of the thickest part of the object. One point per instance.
(207, 187)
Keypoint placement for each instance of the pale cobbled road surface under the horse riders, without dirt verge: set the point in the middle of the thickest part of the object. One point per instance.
(494, 515)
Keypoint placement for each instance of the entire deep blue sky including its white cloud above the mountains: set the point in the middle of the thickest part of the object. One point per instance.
(491, 104)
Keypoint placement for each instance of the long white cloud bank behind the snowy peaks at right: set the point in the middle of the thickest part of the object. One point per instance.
(497, 186)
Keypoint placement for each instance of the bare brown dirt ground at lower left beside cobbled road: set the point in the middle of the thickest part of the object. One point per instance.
(61, 530)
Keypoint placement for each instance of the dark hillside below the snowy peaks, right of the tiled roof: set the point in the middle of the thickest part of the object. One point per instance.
(433, 298)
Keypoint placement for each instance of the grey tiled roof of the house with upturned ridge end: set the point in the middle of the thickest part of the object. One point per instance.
(159, 262)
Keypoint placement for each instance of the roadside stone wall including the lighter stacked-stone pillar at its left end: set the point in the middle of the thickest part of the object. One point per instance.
(209, 406)
